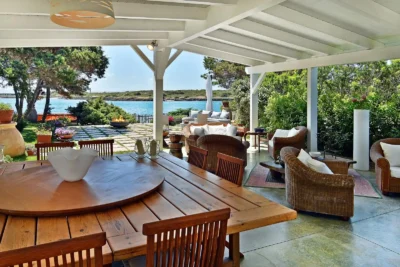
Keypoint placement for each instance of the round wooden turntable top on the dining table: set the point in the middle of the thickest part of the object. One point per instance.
(108, 184)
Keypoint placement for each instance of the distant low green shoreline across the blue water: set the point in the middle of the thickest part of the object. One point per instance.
(176, 95)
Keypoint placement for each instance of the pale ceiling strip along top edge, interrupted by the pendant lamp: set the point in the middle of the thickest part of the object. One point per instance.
(122, 10)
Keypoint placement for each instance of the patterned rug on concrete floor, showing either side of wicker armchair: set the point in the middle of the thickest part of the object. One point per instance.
(261, 177)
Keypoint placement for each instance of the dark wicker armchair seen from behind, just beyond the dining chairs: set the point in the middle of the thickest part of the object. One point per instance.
(228, 145)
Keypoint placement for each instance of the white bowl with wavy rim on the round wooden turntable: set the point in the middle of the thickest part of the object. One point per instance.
(72, 165)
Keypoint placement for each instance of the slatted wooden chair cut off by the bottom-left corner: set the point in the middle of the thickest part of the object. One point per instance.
(65, 253)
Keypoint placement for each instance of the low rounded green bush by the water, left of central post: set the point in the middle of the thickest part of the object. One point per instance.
(98, 111)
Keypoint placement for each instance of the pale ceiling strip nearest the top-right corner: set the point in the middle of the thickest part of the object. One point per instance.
(373, 10)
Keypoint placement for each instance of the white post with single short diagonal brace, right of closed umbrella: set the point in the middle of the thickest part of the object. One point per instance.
(255, 81)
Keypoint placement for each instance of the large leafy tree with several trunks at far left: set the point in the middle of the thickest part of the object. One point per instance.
(68, 71)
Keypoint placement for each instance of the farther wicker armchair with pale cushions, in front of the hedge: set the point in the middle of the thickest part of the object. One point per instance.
(297, 141)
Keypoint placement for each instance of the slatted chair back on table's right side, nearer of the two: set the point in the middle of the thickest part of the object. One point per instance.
(230, 168)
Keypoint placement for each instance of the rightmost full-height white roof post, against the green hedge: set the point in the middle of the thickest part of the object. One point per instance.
(312, 109)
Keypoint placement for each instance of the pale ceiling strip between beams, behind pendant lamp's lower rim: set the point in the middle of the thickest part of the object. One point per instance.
(16, 22)
